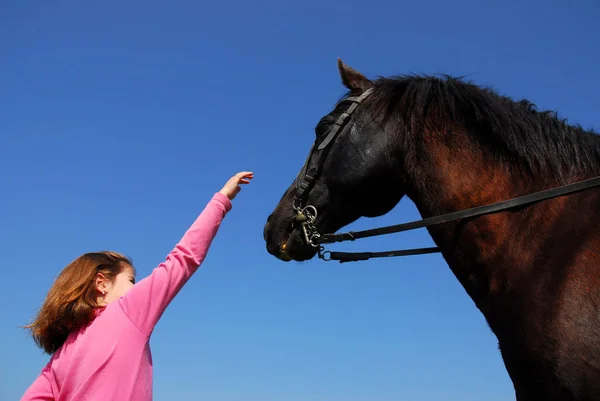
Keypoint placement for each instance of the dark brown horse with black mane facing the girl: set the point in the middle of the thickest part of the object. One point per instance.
(450, 146)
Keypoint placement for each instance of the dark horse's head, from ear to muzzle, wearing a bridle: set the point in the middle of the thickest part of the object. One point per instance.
(346, 175)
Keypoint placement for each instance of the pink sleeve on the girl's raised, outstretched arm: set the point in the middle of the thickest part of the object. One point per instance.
(146, 301)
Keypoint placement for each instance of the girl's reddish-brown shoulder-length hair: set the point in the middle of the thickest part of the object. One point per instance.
(72, 299)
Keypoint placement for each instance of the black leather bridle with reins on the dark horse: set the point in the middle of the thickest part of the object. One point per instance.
(307, 215)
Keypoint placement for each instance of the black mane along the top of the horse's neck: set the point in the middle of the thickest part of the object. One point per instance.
(512, 131)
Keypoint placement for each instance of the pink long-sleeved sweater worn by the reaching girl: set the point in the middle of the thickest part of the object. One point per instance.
(110, 359)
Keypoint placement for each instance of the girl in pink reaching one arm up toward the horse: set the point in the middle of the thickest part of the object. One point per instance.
(96, 322)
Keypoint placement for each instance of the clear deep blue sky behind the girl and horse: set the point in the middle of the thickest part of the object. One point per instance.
(120, 119)
